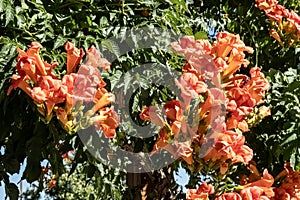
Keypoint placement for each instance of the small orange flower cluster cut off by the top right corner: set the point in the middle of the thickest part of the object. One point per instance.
(286, 23)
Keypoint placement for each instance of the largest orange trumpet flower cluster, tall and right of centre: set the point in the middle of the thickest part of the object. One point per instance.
(225, 100)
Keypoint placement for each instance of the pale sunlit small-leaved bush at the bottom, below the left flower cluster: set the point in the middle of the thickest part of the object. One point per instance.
(89, 182)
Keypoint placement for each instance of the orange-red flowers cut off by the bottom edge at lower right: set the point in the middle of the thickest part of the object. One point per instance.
(255, 187)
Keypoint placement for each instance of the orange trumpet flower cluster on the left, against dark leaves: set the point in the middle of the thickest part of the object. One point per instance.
(64, 97)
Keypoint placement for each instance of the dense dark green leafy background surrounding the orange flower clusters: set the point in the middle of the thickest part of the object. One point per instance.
(85, 22)
